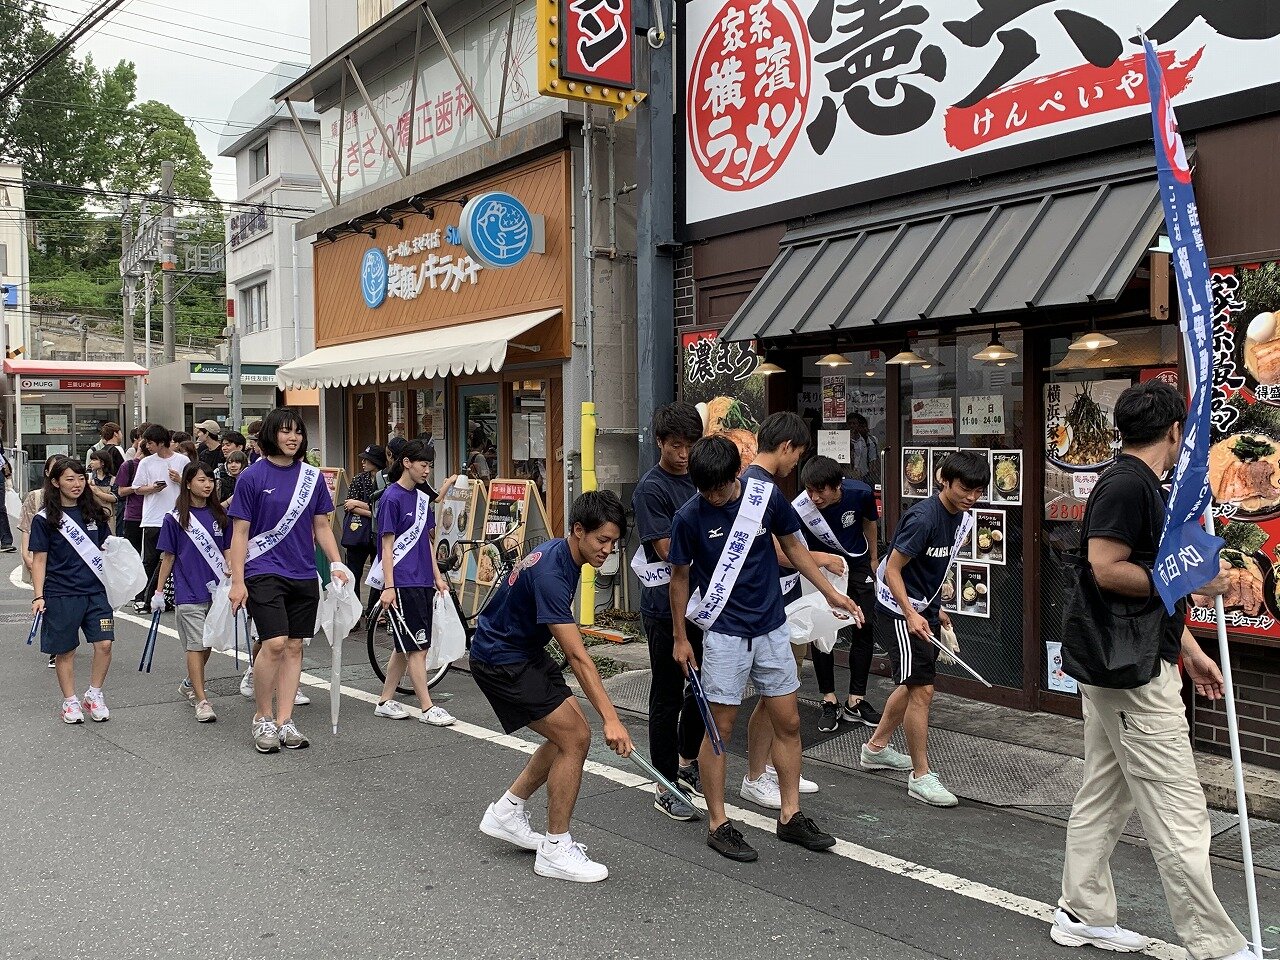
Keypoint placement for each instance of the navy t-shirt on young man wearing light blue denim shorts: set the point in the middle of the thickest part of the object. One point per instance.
(698, 537)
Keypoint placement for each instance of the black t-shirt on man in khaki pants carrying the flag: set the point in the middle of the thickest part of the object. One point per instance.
(1128, 505)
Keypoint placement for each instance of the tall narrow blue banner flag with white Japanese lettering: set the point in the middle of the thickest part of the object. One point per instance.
(1188, 555)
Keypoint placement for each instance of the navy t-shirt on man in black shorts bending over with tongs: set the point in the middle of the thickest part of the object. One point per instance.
(536, 596)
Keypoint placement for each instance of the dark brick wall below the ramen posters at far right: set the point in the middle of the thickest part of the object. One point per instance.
(1256, 673)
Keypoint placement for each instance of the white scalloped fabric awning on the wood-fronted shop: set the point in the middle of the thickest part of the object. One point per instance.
(467, 349)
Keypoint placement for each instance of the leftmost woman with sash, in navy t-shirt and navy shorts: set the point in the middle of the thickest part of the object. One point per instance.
(67, 538)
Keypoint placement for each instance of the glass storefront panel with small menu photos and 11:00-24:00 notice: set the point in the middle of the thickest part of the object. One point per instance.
(961, 404)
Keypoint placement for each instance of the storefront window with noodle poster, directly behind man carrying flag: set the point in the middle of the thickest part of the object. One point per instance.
(1078, 442)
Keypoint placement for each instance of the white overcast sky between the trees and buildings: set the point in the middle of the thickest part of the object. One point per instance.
(195, 56)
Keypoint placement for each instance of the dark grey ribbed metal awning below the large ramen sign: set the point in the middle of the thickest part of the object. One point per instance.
(1072, 237)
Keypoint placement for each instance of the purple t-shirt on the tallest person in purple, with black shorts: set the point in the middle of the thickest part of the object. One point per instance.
(264, 495)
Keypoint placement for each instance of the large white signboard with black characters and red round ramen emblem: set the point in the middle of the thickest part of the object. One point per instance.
(834, 103)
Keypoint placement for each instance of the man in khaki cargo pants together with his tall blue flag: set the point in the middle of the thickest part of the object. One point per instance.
(1137, 746)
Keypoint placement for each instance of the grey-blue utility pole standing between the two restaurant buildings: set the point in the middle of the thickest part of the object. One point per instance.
(656, 243)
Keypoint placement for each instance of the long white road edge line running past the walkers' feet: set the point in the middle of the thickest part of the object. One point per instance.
(939, 880)
